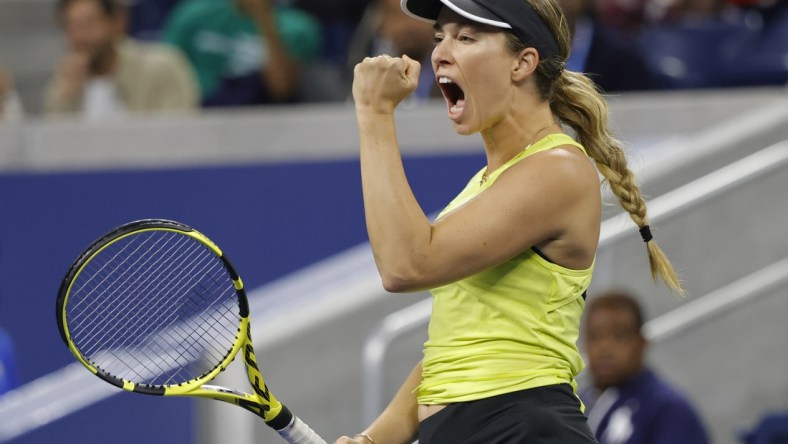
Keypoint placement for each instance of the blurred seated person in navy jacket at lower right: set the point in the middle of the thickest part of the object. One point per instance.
(628, 403)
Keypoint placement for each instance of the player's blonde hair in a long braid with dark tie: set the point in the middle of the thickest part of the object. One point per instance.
(576, 102)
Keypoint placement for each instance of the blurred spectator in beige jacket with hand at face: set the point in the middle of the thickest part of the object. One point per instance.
(105, 74)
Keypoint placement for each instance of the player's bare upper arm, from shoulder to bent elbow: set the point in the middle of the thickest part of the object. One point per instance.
(528, 204)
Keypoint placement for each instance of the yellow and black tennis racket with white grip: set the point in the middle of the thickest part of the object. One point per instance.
(154, 307)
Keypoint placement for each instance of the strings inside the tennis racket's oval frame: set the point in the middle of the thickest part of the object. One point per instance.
(155, 307)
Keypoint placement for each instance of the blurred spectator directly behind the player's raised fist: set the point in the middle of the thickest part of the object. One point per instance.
(386, 29)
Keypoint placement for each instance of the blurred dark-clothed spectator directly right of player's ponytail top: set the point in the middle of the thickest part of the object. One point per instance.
(611, 58)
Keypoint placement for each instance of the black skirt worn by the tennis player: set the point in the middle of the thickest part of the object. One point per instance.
(542, 415)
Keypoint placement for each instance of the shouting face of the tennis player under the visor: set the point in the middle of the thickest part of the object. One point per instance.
(473, 68)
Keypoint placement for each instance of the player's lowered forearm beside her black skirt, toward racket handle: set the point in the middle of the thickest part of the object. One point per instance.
(399, 422)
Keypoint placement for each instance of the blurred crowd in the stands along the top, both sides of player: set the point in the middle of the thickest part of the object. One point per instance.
(180, 55)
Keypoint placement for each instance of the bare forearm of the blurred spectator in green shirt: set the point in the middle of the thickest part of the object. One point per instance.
(281, 74)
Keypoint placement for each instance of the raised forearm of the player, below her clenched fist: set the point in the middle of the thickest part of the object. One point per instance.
(398, 229)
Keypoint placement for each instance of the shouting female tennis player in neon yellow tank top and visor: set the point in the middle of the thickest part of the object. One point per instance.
(508, 261)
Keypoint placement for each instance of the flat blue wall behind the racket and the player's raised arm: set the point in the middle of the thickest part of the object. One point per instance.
(270, 220)
